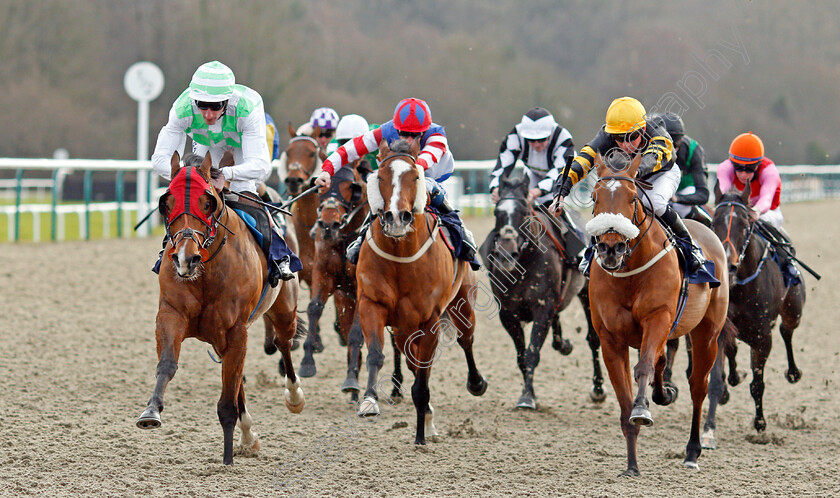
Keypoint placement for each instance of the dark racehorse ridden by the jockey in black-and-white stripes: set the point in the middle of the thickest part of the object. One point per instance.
(533, 283)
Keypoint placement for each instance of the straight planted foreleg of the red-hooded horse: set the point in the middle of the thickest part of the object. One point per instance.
(233, 361)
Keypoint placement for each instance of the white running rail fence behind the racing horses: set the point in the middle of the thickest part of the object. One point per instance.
(21, 179)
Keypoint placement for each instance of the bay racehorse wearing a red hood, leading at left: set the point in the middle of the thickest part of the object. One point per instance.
(212, 287)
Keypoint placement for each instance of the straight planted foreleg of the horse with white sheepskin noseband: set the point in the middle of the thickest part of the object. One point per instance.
(617, 359)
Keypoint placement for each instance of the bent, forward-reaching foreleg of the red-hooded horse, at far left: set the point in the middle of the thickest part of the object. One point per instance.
(169, 334)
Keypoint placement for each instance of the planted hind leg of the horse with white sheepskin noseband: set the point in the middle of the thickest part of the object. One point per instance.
(704, 346)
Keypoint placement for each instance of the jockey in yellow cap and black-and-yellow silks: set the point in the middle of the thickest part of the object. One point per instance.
(627, 132)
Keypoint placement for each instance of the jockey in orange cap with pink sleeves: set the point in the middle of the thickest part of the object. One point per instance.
(748, 164)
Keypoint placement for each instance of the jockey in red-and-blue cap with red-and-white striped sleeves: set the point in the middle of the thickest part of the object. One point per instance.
(412, 121)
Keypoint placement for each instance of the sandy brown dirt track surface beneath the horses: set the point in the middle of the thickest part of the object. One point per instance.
(78, 361)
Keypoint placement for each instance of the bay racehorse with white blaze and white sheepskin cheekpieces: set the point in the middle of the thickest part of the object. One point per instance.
(407, 278)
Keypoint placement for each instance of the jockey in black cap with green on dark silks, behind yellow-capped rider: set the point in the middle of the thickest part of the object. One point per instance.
(693, 190)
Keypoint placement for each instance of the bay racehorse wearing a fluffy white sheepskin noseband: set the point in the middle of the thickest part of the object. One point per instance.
(634, 286)
